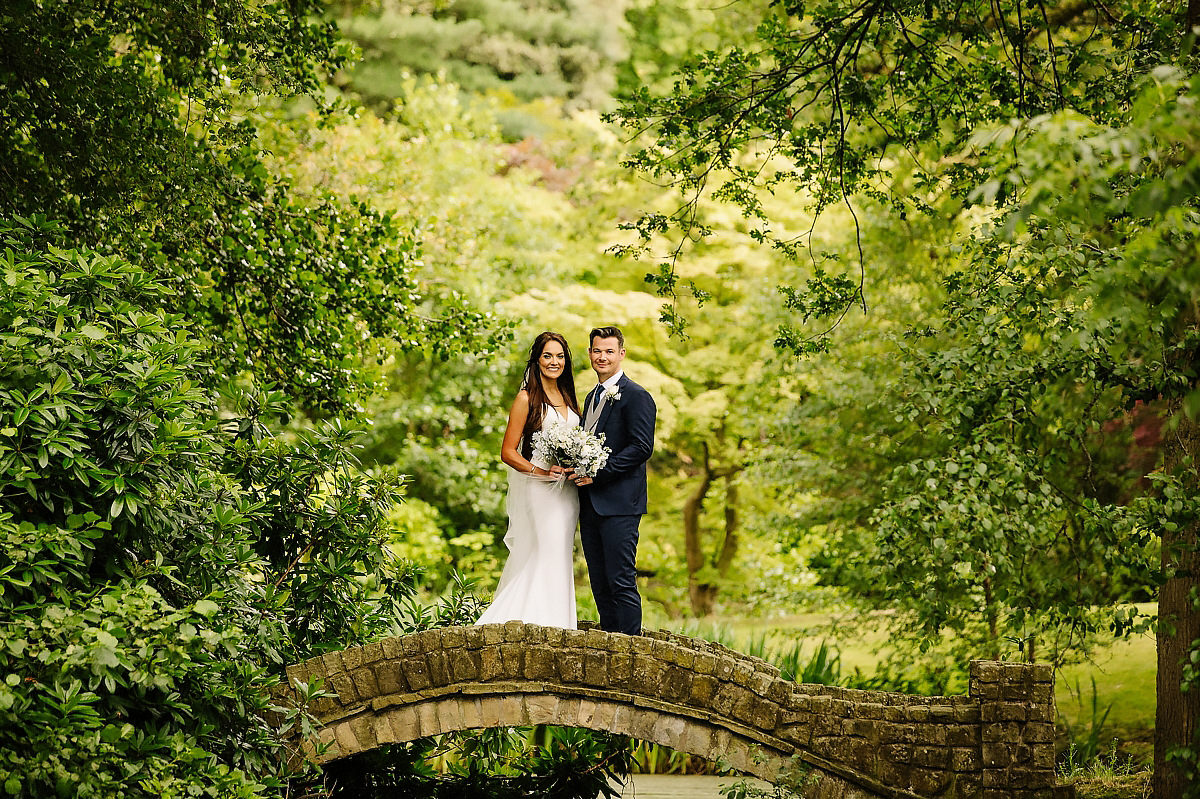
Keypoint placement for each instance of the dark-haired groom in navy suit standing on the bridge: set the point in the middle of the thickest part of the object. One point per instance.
(613, 503)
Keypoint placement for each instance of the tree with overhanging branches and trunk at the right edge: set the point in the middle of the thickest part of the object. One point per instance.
(1025, 376)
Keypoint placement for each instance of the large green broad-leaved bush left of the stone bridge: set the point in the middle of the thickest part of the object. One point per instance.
(163, 554)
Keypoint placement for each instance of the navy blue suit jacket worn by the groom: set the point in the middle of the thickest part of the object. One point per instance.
(628, 428)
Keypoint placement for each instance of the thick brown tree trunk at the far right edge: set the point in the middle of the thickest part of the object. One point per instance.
(1179, 623)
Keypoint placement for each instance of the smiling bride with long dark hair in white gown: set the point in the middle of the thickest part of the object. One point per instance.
(538, 582)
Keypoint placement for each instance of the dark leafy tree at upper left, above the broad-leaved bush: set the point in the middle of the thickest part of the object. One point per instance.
(137, 131)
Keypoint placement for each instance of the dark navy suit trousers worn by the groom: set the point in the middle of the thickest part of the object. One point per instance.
(610, 548)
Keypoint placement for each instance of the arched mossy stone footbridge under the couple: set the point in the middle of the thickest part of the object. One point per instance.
(697, 698)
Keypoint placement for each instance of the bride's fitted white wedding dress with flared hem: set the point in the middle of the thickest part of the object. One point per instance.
(538, 582)
